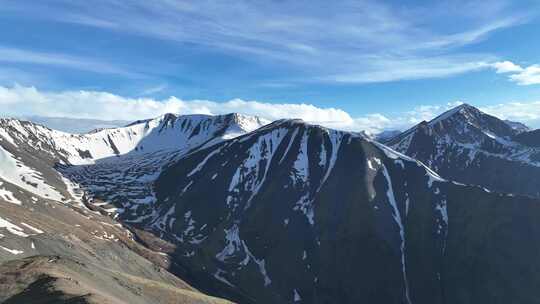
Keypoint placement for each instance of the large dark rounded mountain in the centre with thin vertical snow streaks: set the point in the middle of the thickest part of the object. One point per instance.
(297, 213)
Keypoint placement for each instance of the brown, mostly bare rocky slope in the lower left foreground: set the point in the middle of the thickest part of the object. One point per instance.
(54, 252)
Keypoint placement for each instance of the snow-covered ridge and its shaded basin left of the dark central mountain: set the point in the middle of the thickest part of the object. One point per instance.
(31, 156)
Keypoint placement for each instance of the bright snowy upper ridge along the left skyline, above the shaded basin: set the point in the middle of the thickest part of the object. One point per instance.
(167, 132)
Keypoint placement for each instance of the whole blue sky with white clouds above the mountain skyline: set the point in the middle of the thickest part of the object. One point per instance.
(376, 61)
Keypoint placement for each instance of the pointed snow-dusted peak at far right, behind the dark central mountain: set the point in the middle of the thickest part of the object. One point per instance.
(469, 146)
